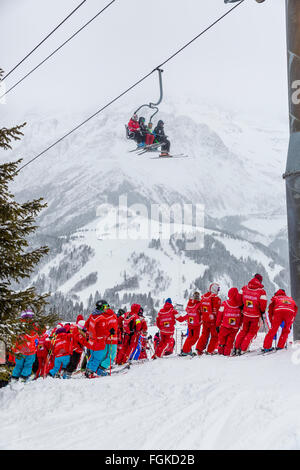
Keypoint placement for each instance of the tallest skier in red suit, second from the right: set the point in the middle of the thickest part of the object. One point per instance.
(255, 304)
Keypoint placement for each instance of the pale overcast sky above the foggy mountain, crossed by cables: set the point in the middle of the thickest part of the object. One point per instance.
(239, 65)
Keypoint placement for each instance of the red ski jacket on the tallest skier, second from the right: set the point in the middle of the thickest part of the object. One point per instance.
(254, 299)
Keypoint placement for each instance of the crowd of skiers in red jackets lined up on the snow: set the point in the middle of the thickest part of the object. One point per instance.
(107, 339)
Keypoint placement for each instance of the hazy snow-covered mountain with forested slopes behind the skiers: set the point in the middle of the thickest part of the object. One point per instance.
(234, 170)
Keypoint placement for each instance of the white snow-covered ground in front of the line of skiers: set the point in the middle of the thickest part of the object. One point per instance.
(248, 402)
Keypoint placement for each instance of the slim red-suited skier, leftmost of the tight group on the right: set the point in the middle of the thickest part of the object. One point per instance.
(193, 318)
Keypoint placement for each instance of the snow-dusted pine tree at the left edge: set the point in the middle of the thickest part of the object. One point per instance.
(17, 260)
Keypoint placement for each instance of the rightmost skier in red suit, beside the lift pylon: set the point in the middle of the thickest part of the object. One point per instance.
(281, 309)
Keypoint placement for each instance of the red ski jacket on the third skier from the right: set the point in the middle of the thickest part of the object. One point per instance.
(230, 312)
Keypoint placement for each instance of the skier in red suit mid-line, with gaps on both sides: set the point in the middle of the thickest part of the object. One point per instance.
(165, 321)
